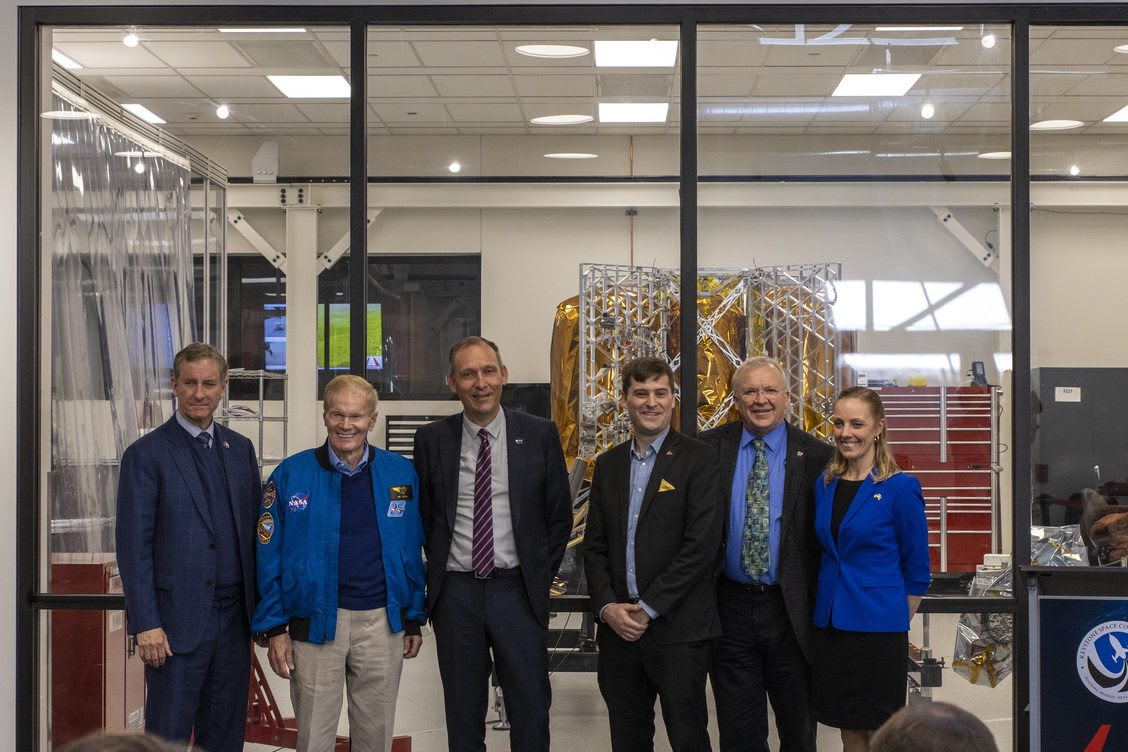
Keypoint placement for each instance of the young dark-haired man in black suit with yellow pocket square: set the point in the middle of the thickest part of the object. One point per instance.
(650, 554)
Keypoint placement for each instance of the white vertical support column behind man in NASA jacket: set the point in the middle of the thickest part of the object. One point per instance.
(302, 326)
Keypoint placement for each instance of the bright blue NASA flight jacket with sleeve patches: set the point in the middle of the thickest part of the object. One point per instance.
(299, 534)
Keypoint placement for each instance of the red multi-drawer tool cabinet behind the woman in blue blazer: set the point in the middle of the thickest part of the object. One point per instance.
(948, 438)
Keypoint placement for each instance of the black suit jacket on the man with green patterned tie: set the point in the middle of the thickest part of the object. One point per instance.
(799, 551)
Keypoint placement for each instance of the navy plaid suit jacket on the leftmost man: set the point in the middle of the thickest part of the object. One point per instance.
(166, 551)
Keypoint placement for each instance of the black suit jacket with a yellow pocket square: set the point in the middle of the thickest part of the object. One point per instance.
(677, 537)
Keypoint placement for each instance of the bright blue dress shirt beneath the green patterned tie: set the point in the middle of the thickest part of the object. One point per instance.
(777, 441)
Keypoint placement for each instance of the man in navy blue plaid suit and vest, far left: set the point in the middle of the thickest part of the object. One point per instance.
(187, 502)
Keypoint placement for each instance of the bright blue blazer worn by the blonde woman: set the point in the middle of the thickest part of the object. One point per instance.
(880, 559)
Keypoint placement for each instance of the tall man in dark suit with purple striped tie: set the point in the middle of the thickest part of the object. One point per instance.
(497, 517)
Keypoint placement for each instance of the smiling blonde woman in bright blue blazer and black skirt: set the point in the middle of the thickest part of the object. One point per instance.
(870, 520)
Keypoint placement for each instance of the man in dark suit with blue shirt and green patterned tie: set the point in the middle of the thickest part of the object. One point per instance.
(771, 563)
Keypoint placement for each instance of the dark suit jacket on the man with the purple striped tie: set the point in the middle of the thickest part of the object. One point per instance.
(540, 499)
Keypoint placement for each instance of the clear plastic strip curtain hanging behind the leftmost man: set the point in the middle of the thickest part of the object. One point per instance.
(118, 240)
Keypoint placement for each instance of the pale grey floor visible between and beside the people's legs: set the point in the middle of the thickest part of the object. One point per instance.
(579, 719)
